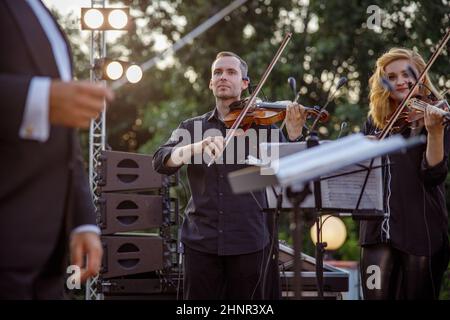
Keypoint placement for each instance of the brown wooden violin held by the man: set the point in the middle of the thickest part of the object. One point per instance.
(267, 113)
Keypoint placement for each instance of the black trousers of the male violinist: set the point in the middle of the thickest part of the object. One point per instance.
(236, 277)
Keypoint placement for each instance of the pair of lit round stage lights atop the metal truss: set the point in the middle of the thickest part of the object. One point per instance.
(105, 18)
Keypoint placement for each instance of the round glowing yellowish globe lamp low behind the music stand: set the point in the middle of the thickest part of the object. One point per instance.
(334, 232)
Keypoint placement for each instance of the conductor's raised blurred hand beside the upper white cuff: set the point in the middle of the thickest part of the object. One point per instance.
(75, 104)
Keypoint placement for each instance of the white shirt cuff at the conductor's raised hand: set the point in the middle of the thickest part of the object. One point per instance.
(35, 122)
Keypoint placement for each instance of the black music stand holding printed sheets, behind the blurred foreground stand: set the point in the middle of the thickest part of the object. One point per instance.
(313, 208)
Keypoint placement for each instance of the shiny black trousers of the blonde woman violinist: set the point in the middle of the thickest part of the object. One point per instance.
(402, 275)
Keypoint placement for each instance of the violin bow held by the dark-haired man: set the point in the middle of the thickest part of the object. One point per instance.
(253, 96)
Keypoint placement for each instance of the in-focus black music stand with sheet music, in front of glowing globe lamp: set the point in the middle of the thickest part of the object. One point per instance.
(350, 183)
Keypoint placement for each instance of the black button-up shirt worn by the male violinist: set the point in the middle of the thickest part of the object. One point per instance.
(218, 221)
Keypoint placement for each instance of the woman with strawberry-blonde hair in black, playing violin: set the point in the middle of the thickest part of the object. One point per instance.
(410, 246)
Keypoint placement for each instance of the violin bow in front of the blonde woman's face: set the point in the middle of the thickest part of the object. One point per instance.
(403, 104)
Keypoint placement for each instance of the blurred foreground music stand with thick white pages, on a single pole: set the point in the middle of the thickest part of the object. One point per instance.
(314, 162)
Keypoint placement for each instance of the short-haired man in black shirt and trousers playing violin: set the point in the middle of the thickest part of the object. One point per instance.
(226, 236)
